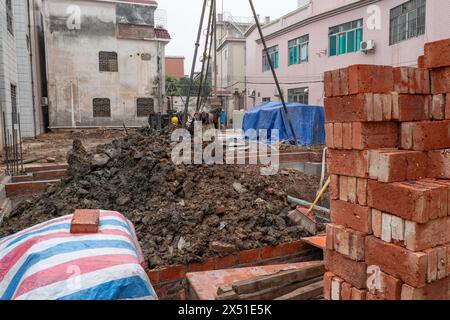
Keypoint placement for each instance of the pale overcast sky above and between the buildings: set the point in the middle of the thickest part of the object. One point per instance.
(183, 18)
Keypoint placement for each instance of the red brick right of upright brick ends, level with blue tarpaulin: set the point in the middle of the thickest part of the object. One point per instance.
(375, 135)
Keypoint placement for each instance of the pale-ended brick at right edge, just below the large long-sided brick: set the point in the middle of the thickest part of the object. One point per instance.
(421, 236)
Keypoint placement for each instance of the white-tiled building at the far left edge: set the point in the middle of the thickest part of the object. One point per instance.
(20, 73)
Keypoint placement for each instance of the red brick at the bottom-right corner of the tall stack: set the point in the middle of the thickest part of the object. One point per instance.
(439, 290)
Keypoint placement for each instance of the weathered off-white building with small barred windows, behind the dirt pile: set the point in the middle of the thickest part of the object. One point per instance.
(105, 62)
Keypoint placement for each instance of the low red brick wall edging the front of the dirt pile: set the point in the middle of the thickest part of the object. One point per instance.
(171, 283)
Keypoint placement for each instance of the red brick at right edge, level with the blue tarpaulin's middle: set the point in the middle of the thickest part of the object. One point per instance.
(426, 136)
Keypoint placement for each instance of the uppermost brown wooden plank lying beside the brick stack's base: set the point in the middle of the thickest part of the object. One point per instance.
(280, 279)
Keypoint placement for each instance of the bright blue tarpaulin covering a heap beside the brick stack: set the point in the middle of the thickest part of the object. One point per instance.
(308, 121)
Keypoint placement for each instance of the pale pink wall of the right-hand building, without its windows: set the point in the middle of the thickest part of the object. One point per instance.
(310, 74)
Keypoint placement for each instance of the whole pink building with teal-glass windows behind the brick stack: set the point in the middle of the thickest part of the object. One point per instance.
(325, 35)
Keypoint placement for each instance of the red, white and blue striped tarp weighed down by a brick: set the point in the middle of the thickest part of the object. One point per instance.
(47, 262)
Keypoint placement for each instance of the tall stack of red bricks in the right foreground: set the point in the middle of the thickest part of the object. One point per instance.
(388, 134)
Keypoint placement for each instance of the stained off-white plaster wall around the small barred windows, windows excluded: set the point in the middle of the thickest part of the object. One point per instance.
(73, 67)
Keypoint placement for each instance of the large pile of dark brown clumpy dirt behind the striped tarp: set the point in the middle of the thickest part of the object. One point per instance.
(182, 213)
